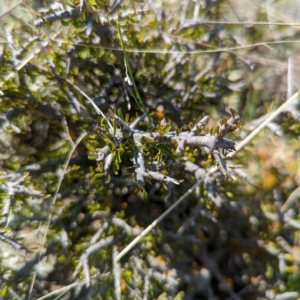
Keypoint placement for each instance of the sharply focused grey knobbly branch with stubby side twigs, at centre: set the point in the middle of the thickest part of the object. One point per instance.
(143, 139)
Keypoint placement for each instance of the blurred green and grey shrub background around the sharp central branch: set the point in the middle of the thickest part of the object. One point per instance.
(230, 239)
